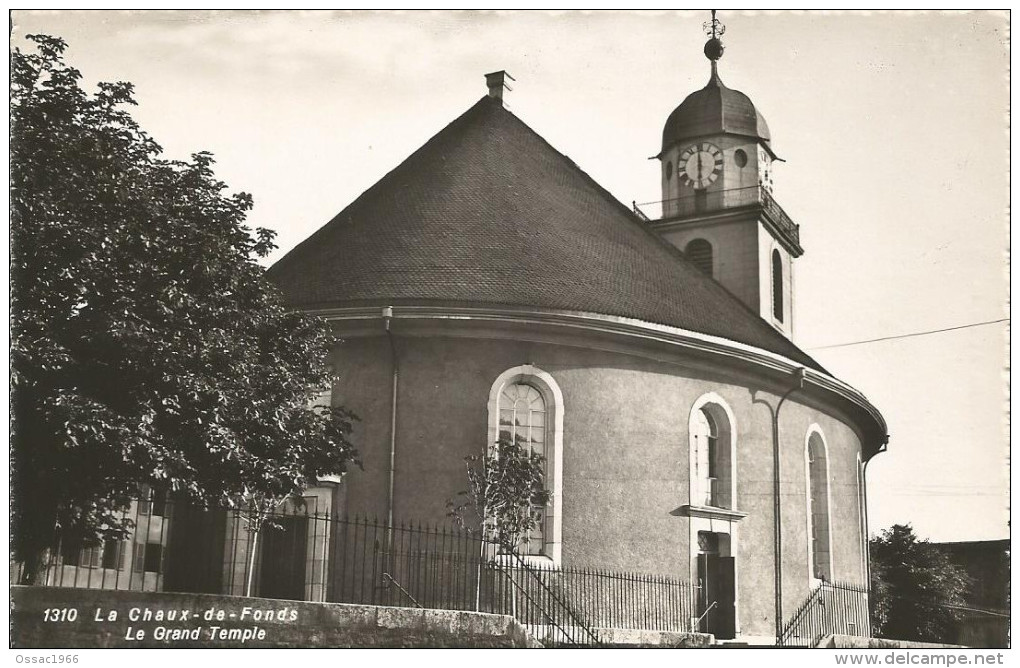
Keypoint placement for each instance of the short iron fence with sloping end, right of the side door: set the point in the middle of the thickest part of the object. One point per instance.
(834, 608)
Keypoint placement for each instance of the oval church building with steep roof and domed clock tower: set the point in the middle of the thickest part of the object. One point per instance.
(489, 286)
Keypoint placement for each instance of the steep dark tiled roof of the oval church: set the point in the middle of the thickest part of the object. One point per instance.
(487, 213)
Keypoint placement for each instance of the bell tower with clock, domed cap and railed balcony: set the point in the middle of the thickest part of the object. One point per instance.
(718, 202)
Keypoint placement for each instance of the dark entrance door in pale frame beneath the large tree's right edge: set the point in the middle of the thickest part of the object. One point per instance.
(284, 550)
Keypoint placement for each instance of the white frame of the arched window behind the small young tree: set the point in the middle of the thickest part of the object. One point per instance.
(550, 391)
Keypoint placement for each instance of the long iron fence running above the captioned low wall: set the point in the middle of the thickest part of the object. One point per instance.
(303, 553)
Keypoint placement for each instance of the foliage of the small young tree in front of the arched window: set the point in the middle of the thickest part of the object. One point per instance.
(506, 487)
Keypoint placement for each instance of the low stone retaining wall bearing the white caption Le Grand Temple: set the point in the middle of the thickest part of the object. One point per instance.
(60, 618)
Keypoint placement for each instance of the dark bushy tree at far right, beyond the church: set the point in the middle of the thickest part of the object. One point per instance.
(915, 588)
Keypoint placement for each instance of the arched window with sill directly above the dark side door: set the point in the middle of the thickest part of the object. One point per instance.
(712, 445)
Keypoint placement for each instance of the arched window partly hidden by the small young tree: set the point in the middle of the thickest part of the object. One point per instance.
(527, 405)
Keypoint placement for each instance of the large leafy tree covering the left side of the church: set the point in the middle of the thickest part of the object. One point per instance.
(147, 347)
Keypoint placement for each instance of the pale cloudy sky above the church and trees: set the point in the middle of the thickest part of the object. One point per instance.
(893, 127)
